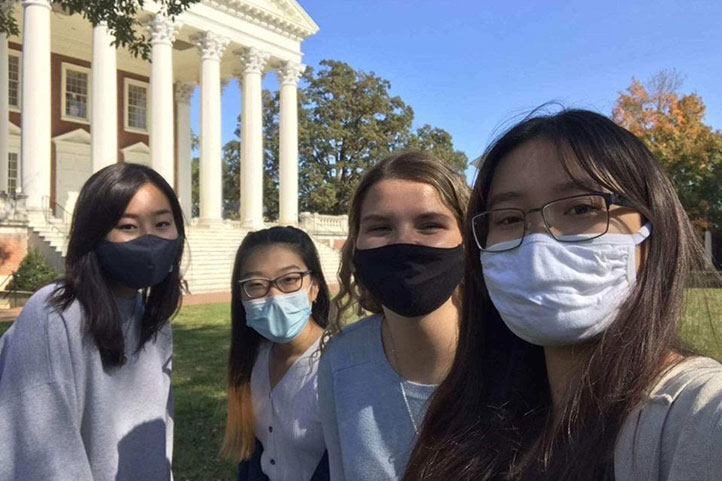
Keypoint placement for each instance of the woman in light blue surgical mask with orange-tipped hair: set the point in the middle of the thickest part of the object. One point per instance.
(279, 308)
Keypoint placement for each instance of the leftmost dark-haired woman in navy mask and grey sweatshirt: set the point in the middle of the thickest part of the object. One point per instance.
(85, 388)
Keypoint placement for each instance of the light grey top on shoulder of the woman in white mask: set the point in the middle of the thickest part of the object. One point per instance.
(676, 435)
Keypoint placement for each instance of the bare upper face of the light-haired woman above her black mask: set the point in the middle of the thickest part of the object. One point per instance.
(399, 211)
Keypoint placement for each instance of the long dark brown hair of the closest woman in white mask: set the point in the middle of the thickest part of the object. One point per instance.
(492, 418)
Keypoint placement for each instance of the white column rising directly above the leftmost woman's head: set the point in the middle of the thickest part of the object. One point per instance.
(104, 118)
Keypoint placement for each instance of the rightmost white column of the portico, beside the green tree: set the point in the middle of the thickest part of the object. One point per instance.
(288, 144)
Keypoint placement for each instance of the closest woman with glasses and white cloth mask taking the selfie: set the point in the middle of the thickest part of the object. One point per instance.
(569, 364)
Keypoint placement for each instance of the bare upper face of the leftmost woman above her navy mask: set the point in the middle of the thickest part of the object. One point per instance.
(148, 212)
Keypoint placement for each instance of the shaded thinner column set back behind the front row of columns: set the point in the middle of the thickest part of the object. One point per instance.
(183, 94)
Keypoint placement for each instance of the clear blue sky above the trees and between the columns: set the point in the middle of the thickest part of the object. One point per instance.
(471, 67)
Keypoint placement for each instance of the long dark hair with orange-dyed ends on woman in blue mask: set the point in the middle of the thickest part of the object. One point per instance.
(239, 438)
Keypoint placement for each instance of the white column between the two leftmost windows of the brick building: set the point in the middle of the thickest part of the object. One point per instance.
(35, 104)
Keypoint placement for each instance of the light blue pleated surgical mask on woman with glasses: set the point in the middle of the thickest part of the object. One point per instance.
(279, 318)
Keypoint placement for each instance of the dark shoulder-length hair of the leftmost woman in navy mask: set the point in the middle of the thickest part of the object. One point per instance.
(101, 203)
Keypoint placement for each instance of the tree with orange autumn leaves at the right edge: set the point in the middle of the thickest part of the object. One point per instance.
(672, 126)
